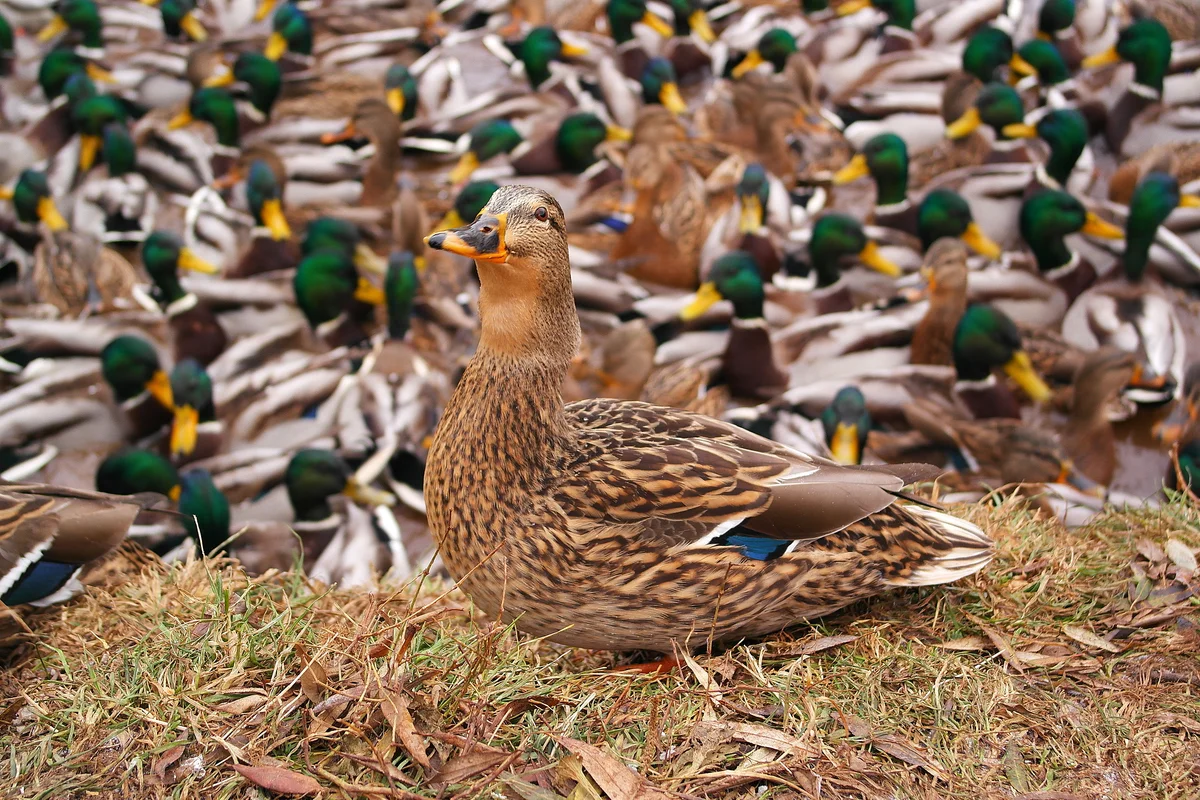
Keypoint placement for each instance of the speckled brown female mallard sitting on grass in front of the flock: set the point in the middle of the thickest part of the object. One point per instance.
(746, 540)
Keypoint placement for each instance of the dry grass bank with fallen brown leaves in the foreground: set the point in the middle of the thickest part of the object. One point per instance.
(1067, 670)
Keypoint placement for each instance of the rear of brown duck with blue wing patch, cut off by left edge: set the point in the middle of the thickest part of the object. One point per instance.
(51, 533)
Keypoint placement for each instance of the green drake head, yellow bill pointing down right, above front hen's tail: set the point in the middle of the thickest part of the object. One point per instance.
(986, 340)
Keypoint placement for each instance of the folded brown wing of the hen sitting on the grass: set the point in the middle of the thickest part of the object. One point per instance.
(692, 480)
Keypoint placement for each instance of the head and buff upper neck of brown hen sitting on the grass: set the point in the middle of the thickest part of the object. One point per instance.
(519, 243)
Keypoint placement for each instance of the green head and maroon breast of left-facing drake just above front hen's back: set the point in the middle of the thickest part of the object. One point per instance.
(748, 366)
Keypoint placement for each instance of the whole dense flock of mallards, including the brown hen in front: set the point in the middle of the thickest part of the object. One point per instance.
(956, 233)
